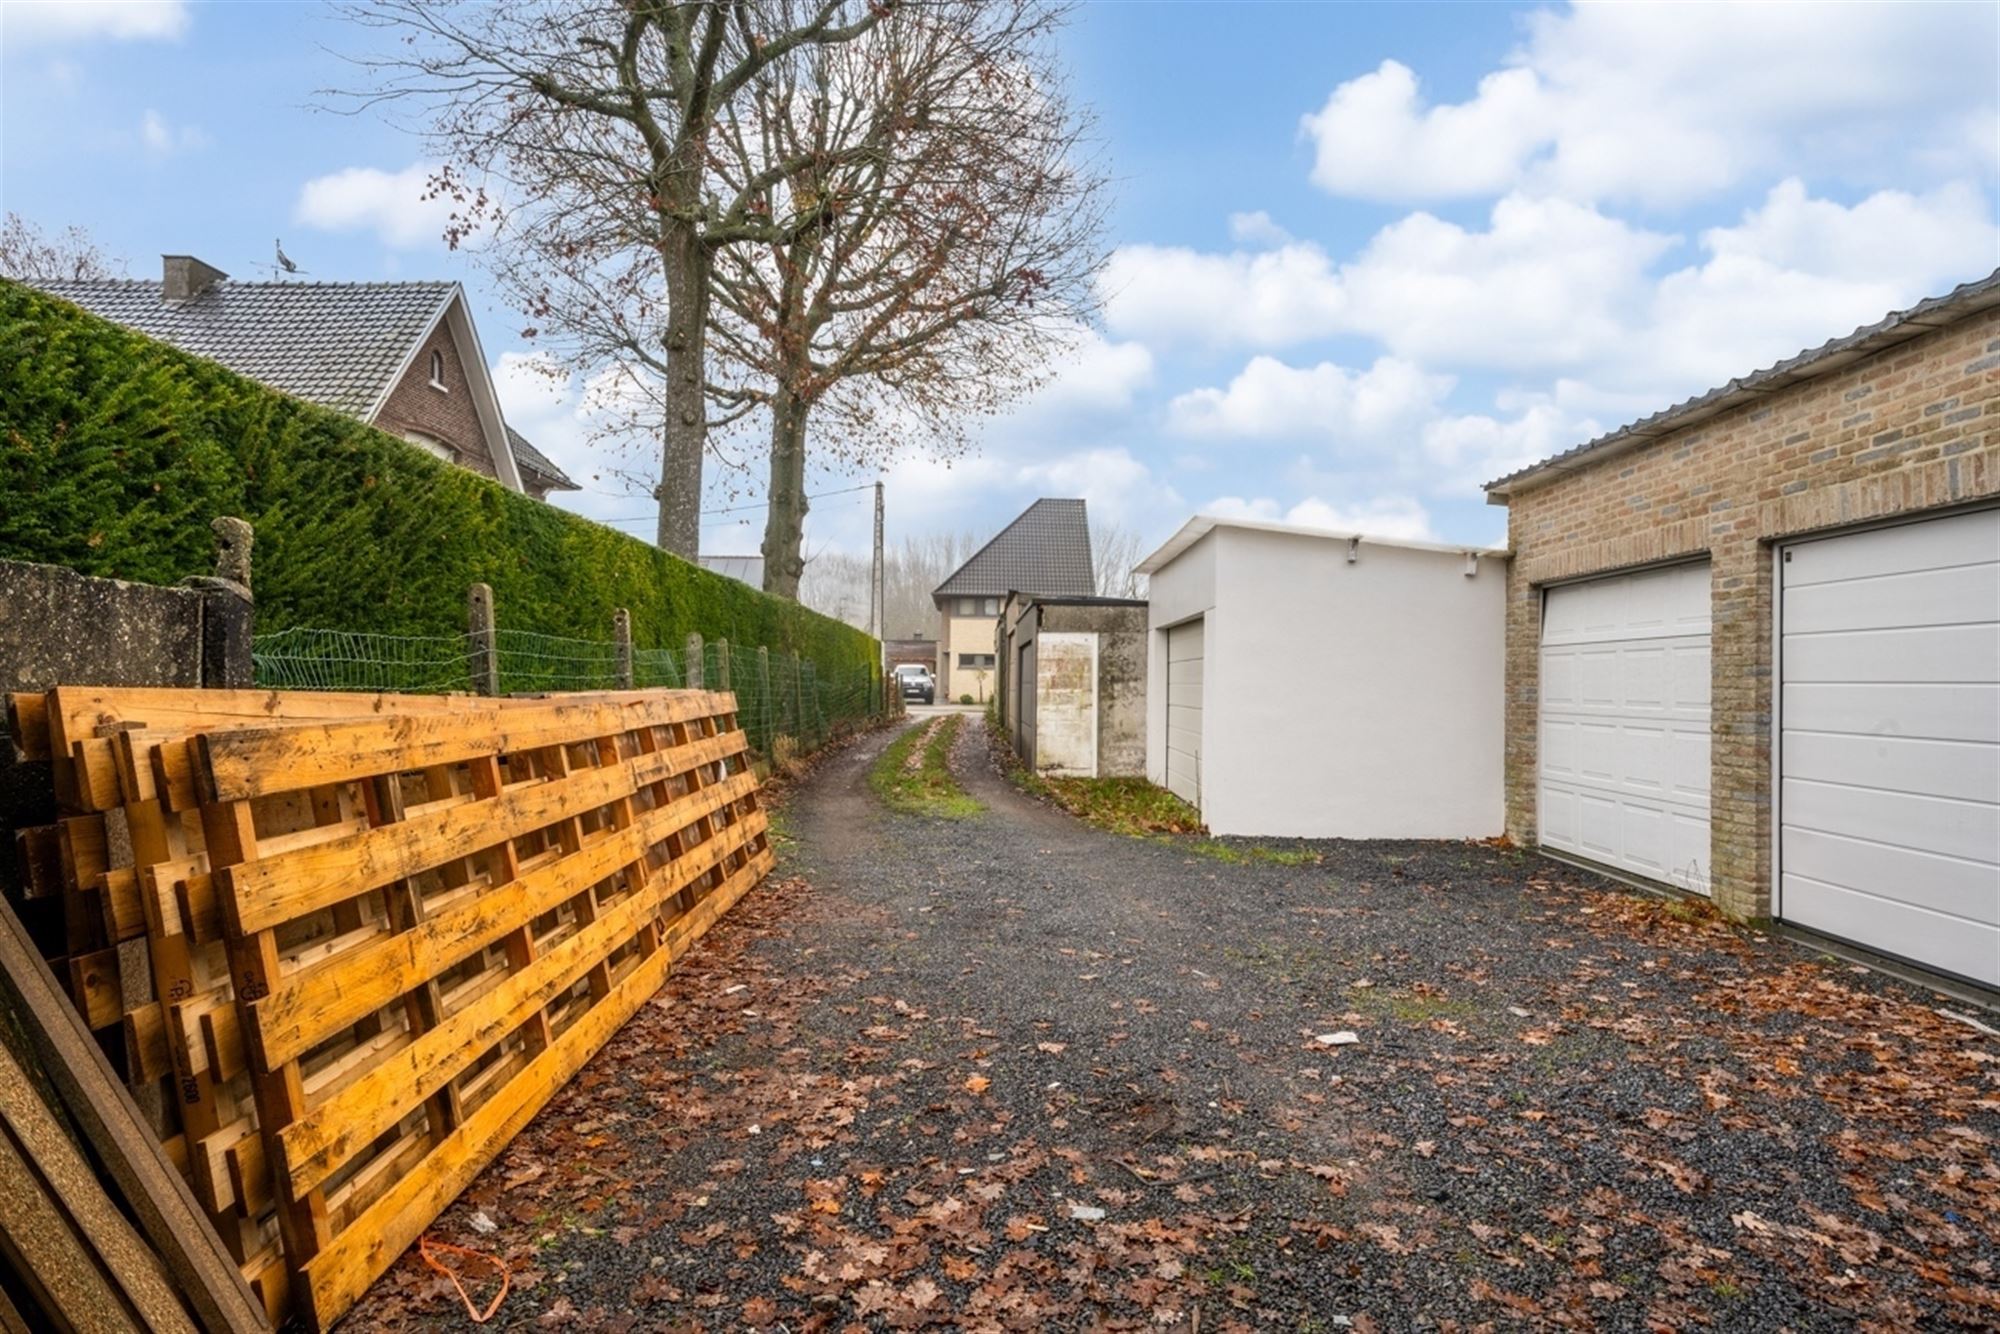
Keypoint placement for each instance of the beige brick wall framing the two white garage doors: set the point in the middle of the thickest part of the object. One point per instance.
(1911, 429)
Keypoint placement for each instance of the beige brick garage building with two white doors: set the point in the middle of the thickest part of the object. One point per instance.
(1811, 551)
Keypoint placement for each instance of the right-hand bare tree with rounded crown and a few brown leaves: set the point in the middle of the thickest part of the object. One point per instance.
(951, 231)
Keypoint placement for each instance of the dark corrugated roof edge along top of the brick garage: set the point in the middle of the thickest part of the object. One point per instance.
(1829, 357)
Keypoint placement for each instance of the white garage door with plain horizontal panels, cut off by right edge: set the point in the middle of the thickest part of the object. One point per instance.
(1889, 821)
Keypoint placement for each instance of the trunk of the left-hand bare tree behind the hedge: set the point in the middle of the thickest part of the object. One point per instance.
(685, 435)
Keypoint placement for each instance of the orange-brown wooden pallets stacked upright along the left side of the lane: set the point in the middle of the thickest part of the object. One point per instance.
(349, 945)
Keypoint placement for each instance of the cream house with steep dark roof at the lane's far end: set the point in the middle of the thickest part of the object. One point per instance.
(1047, 551)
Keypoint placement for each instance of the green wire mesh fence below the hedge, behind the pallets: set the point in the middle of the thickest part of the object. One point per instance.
(777, 695)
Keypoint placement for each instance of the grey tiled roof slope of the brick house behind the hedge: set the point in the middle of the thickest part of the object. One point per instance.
(331, 343)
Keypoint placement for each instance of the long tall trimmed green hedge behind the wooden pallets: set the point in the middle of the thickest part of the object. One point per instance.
(117, 453)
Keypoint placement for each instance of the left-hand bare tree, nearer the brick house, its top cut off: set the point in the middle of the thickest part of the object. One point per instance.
(579, 135)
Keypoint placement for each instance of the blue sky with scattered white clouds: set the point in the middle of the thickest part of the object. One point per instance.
(1365, 257)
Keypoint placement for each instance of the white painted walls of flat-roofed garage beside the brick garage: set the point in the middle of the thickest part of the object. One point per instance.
(1343, 701)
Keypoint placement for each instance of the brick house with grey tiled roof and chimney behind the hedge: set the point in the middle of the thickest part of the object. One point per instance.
(403, 357)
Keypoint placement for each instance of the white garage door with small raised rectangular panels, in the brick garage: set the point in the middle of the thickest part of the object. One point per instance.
(1625, 723)
